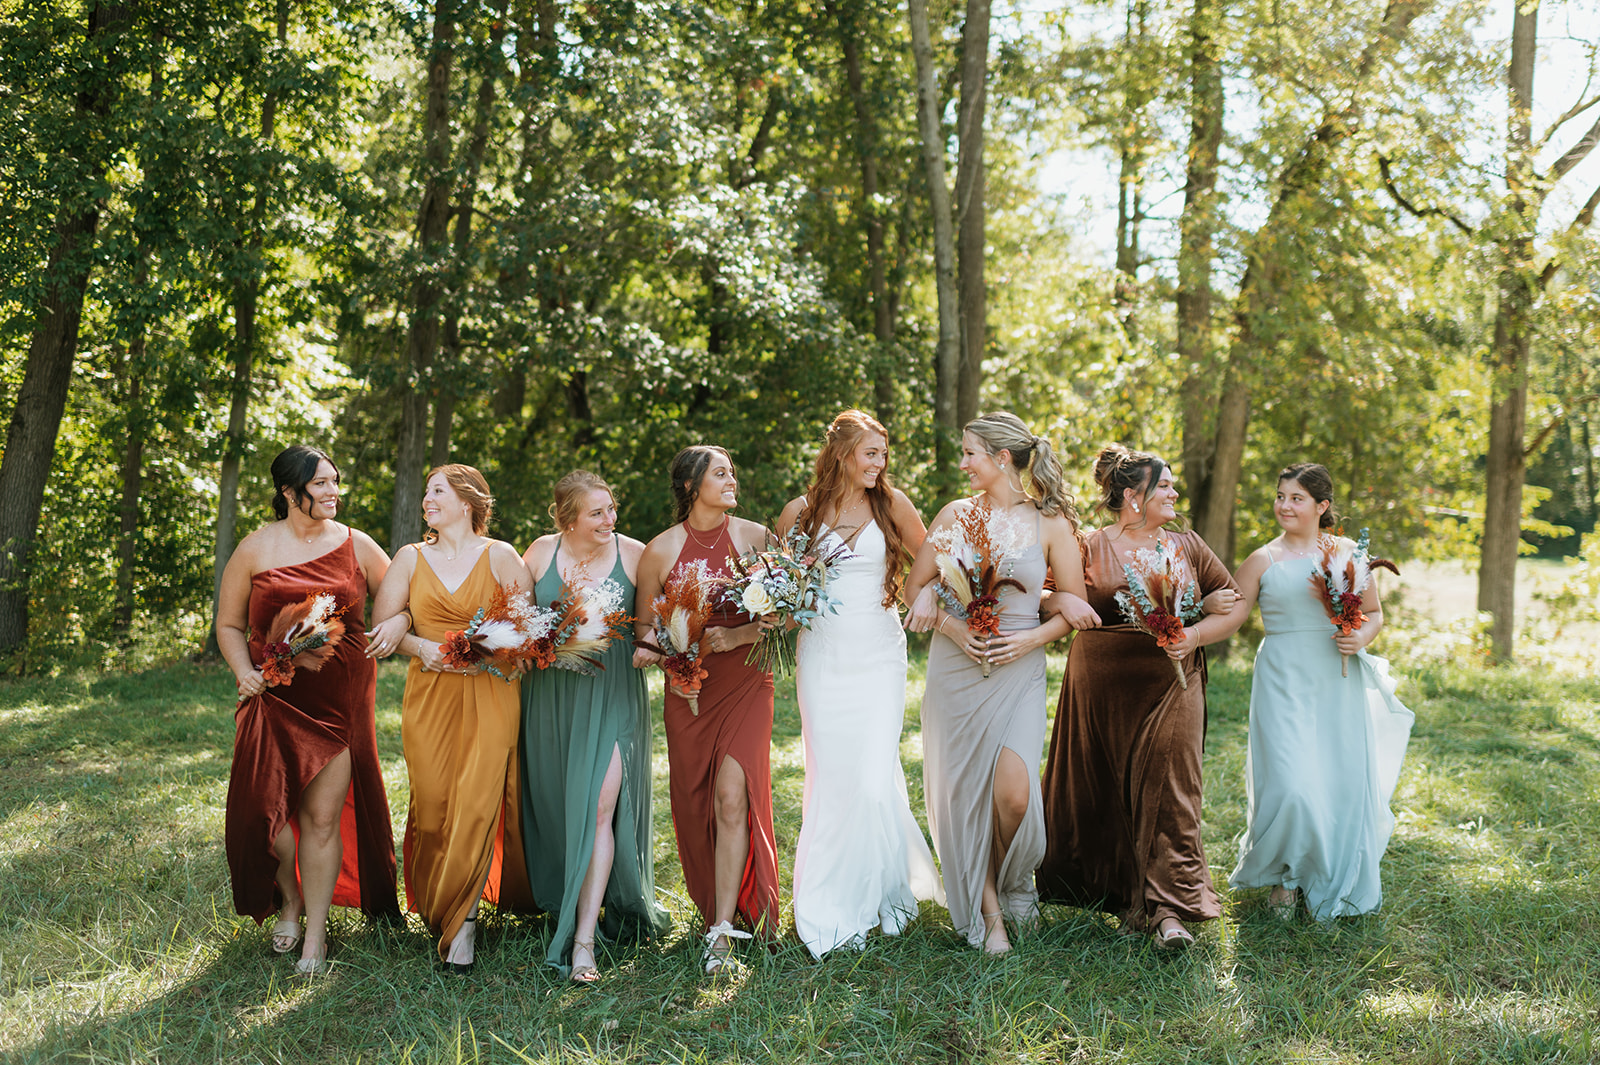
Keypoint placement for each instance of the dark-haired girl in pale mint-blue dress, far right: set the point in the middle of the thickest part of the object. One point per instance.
(1326, 749)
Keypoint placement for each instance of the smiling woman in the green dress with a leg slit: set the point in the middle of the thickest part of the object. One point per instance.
(586, 749)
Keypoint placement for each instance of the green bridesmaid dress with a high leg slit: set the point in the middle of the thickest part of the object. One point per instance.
(570, 725)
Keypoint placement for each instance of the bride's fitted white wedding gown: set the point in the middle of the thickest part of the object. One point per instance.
(862, 861)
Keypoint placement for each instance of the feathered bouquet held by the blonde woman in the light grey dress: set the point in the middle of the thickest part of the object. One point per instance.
(975, 557)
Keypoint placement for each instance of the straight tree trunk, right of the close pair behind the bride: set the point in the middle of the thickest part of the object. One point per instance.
(970, 207)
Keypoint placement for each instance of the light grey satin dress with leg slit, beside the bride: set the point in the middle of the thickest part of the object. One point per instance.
(967, 720)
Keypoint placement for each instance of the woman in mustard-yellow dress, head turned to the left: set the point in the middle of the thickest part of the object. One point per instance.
(458, 725)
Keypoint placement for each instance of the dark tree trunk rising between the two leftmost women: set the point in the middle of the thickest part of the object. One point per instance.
(406, 522)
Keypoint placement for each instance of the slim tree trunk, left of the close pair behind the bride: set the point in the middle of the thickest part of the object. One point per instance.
(946, 364)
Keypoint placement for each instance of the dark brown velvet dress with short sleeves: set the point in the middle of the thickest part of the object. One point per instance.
(1122, 781)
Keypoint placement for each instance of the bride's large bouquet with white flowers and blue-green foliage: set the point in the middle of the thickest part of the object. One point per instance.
(788, 578)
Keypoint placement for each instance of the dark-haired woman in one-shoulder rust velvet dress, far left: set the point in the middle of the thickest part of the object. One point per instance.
(308, 821)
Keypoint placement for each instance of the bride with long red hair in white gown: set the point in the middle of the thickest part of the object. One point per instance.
(862, 861)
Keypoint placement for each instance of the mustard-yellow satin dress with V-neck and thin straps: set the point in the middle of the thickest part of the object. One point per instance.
(460, 736)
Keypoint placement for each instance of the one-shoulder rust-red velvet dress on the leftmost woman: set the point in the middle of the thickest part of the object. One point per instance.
(290, 733)
